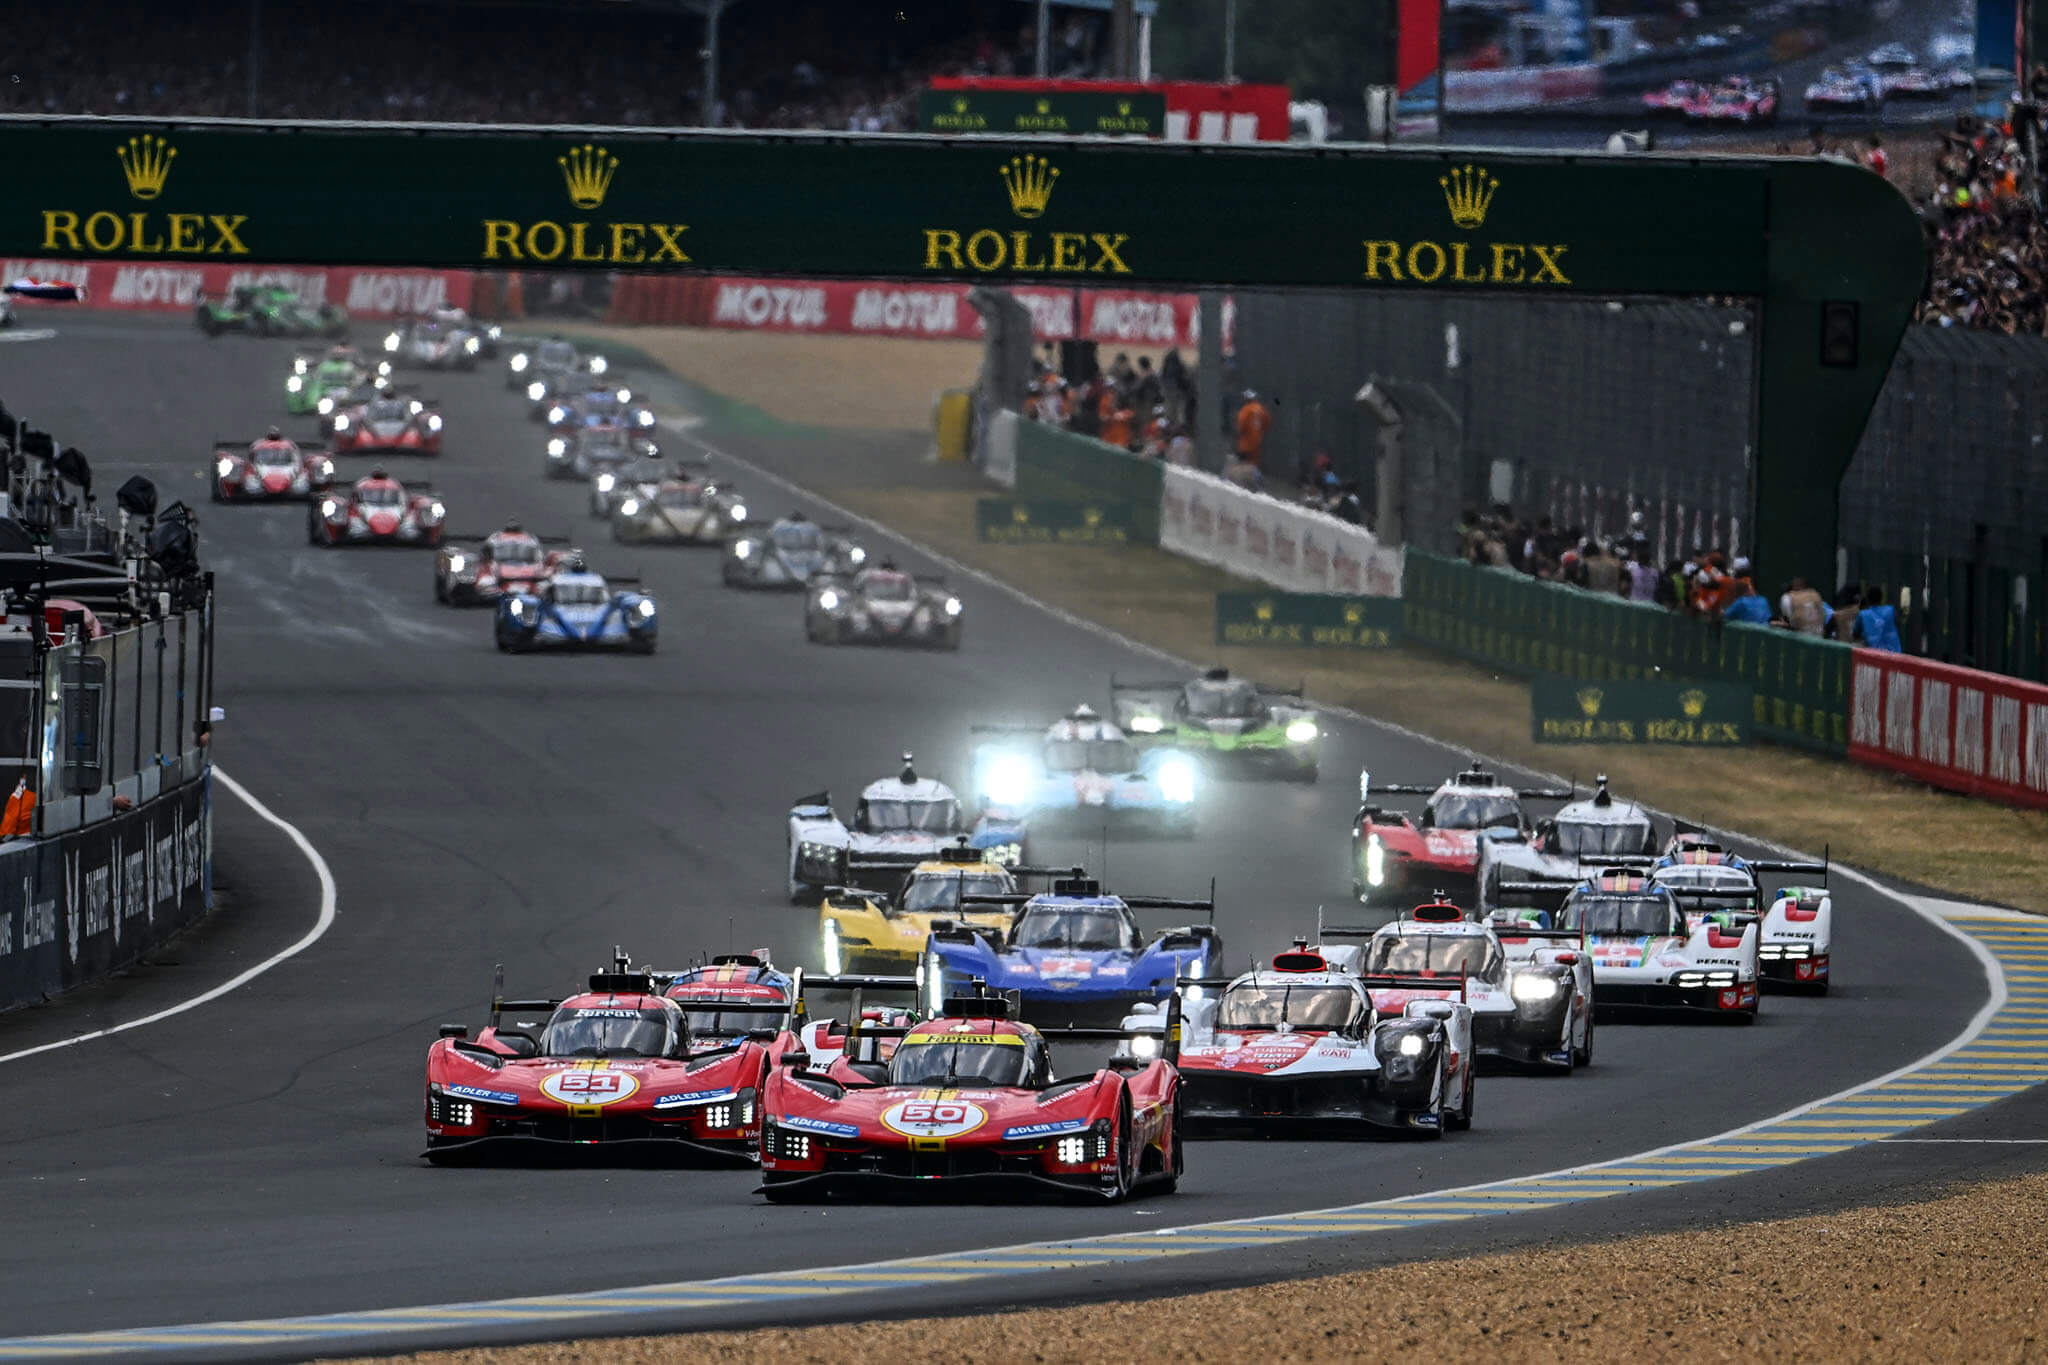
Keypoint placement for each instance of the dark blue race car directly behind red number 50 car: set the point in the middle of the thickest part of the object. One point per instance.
(1076, 955)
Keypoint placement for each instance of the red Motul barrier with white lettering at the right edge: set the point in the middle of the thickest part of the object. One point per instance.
(1953, 728)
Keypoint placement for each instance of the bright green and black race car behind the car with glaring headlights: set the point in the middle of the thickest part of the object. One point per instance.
(1230, 723)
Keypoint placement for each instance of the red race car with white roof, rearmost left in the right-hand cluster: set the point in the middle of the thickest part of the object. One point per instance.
(1402, 856)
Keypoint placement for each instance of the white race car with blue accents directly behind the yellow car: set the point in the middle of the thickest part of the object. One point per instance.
(900, 824)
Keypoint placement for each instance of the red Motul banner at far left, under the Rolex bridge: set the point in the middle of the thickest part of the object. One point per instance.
(151, 288)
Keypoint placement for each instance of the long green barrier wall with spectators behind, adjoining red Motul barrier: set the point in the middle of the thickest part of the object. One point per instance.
(1519, 625)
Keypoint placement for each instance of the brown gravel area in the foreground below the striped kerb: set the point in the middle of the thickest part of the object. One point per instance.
(1947, 1280)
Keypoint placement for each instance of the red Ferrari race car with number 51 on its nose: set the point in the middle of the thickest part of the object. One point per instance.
(611, 1071)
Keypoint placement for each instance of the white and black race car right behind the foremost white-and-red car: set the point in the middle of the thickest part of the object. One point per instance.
(1531, 1010)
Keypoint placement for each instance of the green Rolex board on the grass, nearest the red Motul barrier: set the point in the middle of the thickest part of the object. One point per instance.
(1576, 711)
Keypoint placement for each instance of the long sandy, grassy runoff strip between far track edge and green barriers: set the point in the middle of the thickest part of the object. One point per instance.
(790, 386)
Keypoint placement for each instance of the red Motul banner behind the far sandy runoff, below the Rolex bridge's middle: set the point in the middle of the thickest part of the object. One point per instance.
(853, 308)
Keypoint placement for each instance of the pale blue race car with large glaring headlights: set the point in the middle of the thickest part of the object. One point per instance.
(1082, 773)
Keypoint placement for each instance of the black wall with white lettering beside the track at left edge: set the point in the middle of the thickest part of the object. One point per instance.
(87, 904)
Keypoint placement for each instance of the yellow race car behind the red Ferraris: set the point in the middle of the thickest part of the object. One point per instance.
(869, 930)
